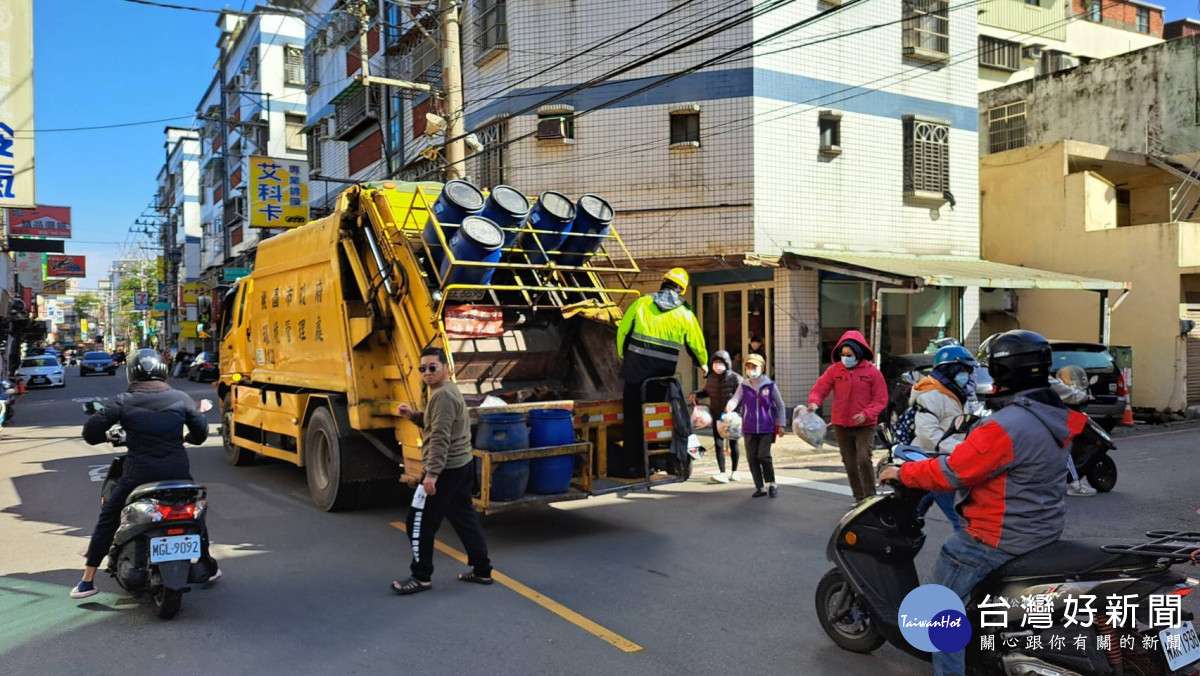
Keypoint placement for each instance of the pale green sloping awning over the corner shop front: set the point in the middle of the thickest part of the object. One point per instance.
(943, 271)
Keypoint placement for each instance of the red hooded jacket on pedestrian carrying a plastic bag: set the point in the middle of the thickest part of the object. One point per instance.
(861, 390)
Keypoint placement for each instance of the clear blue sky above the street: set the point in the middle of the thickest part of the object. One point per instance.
(111, 62)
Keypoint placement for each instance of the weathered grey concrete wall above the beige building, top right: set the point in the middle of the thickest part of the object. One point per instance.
(1114, 101)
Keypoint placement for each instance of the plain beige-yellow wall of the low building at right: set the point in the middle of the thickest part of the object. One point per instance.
(1031, 217)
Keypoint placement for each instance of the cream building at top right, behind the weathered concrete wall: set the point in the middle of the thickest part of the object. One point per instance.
(1021, 40)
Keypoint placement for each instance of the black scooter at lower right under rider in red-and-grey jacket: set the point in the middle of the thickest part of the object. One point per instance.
(874, 548)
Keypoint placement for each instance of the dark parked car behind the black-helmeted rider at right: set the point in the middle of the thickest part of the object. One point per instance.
(1108, 388)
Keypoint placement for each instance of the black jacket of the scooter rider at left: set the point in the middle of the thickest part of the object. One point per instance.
(154, 417)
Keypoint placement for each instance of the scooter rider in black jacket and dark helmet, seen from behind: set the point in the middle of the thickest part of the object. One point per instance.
(153, 416)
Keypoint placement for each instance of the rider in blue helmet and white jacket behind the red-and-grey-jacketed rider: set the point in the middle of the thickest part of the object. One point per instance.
(939, 400)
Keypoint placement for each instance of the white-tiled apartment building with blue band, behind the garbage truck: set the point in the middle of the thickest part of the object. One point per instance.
(797, 163)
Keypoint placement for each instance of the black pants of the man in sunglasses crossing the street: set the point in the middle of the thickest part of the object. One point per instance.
(452, 501)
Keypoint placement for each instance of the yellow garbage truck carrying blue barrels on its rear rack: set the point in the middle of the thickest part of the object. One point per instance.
(322, 342)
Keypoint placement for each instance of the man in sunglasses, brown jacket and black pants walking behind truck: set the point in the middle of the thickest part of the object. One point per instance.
(446, 490)
